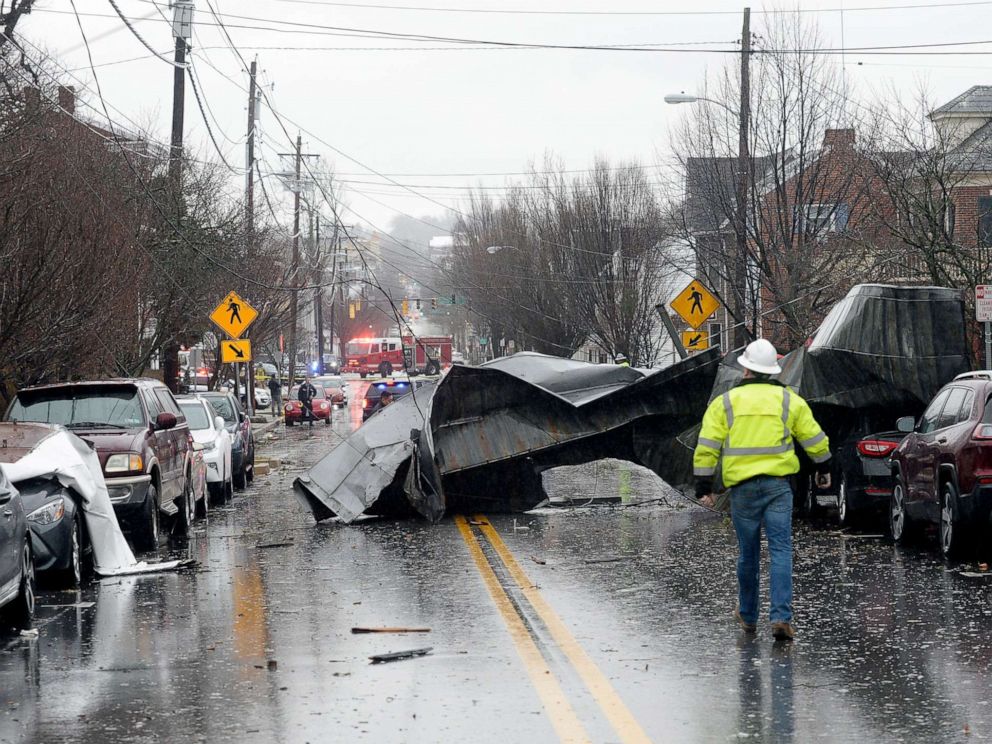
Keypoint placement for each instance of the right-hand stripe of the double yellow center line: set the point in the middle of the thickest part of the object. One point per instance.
(620, 717)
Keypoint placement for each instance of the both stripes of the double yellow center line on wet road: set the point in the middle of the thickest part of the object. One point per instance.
(563, 716)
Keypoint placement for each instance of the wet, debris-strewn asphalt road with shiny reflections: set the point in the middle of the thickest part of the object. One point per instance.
(600, 623)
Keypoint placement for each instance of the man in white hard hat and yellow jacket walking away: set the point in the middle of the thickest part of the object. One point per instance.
(749, 430)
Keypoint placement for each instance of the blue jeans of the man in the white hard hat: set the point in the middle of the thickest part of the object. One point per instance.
(767, 501)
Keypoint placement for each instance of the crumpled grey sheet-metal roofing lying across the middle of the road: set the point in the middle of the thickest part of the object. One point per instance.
(482, 436)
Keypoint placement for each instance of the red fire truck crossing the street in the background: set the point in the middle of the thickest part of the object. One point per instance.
(382, 356)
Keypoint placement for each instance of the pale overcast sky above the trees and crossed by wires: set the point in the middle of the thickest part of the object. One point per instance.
(418, 109)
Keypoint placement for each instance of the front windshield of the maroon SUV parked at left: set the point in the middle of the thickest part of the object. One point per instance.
(90, 406)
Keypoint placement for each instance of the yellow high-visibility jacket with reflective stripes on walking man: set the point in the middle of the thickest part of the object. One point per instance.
(752, 427)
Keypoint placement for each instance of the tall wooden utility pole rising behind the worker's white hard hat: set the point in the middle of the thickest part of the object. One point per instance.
(742, 335)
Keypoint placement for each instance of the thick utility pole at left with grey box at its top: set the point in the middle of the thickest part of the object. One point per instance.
(182, 29)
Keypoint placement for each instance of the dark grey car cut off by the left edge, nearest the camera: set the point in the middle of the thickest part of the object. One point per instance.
(16, 560)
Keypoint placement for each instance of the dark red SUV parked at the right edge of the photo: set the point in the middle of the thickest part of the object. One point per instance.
(943, 468)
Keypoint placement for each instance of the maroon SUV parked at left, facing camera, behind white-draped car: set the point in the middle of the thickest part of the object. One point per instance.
(141, 437)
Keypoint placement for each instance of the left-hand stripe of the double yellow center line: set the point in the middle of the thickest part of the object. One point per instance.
(563, 718)
